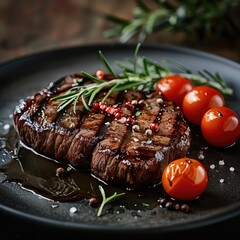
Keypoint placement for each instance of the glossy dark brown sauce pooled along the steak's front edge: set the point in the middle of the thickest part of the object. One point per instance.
(40, 174)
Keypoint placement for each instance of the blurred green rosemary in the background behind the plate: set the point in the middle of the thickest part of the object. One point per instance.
(198, 18)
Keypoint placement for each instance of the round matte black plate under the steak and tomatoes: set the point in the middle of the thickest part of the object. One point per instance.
(22, 77)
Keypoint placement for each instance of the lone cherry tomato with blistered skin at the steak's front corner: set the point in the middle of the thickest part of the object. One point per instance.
(185, 179)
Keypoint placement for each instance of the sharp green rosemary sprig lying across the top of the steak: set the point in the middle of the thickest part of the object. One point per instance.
(138, 73)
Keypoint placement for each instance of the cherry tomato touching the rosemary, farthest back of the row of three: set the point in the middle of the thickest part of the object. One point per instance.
(174, 88)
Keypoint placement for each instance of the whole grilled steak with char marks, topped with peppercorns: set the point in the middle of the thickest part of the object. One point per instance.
(129, 139)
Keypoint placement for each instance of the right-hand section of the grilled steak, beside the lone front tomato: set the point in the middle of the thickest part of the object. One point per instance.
(136, 155)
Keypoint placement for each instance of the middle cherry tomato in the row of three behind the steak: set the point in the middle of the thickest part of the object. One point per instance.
(199, 100)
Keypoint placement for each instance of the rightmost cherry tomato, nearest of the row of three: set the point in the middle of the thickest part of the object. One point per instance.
(220, 126)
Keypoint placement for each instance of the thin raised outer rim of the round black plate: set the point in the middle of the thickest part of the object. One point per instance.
(218, 217)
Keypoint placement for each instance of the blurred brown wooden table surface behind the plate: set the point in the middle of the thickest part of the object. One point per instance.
(28, 26)
